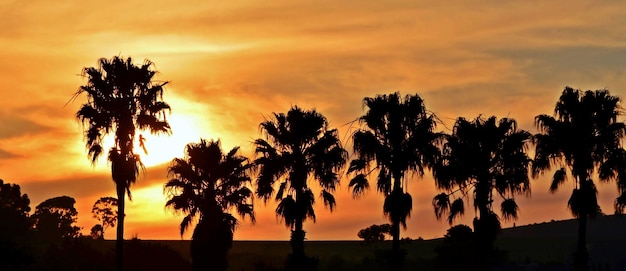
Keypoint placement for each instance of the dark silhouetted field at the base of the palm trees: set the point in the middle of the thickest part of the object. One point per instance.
(548, 244)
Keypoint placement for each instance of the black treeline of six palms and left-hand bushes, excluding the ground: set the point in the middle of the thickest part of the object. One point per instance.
(482, 160)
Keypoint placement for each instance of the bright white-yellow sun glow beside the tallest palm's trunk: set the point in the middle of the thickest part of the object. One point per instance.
(163, 148)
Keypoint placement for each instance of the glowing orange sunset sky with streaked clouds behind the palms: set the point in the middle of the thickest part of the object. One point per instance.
(231, 63)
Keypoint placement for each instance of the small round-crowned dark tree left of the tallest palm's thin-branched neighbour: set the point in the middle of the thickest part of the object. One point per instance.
(54, 218)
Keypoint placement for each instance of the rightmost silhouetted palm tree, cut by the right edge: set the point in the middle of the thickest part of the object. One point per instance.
(582, 138)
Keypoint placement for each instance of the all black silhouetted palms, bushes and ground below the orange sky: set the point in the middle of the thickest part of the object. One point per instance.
(481, 163)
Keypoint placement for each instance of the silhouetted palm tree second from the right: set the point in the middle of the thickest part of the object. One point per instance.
(483, 159)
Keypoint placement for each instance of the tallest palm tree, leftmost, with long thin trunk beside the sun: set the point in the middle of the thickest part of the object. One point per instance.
(121, 99)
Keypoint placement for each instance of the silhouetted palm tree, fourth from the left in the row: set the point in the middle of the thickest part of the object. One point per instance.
(398, 138)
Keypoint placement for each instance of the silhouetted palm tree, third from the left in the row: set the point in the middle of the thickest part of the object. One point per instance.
(298, 147)
